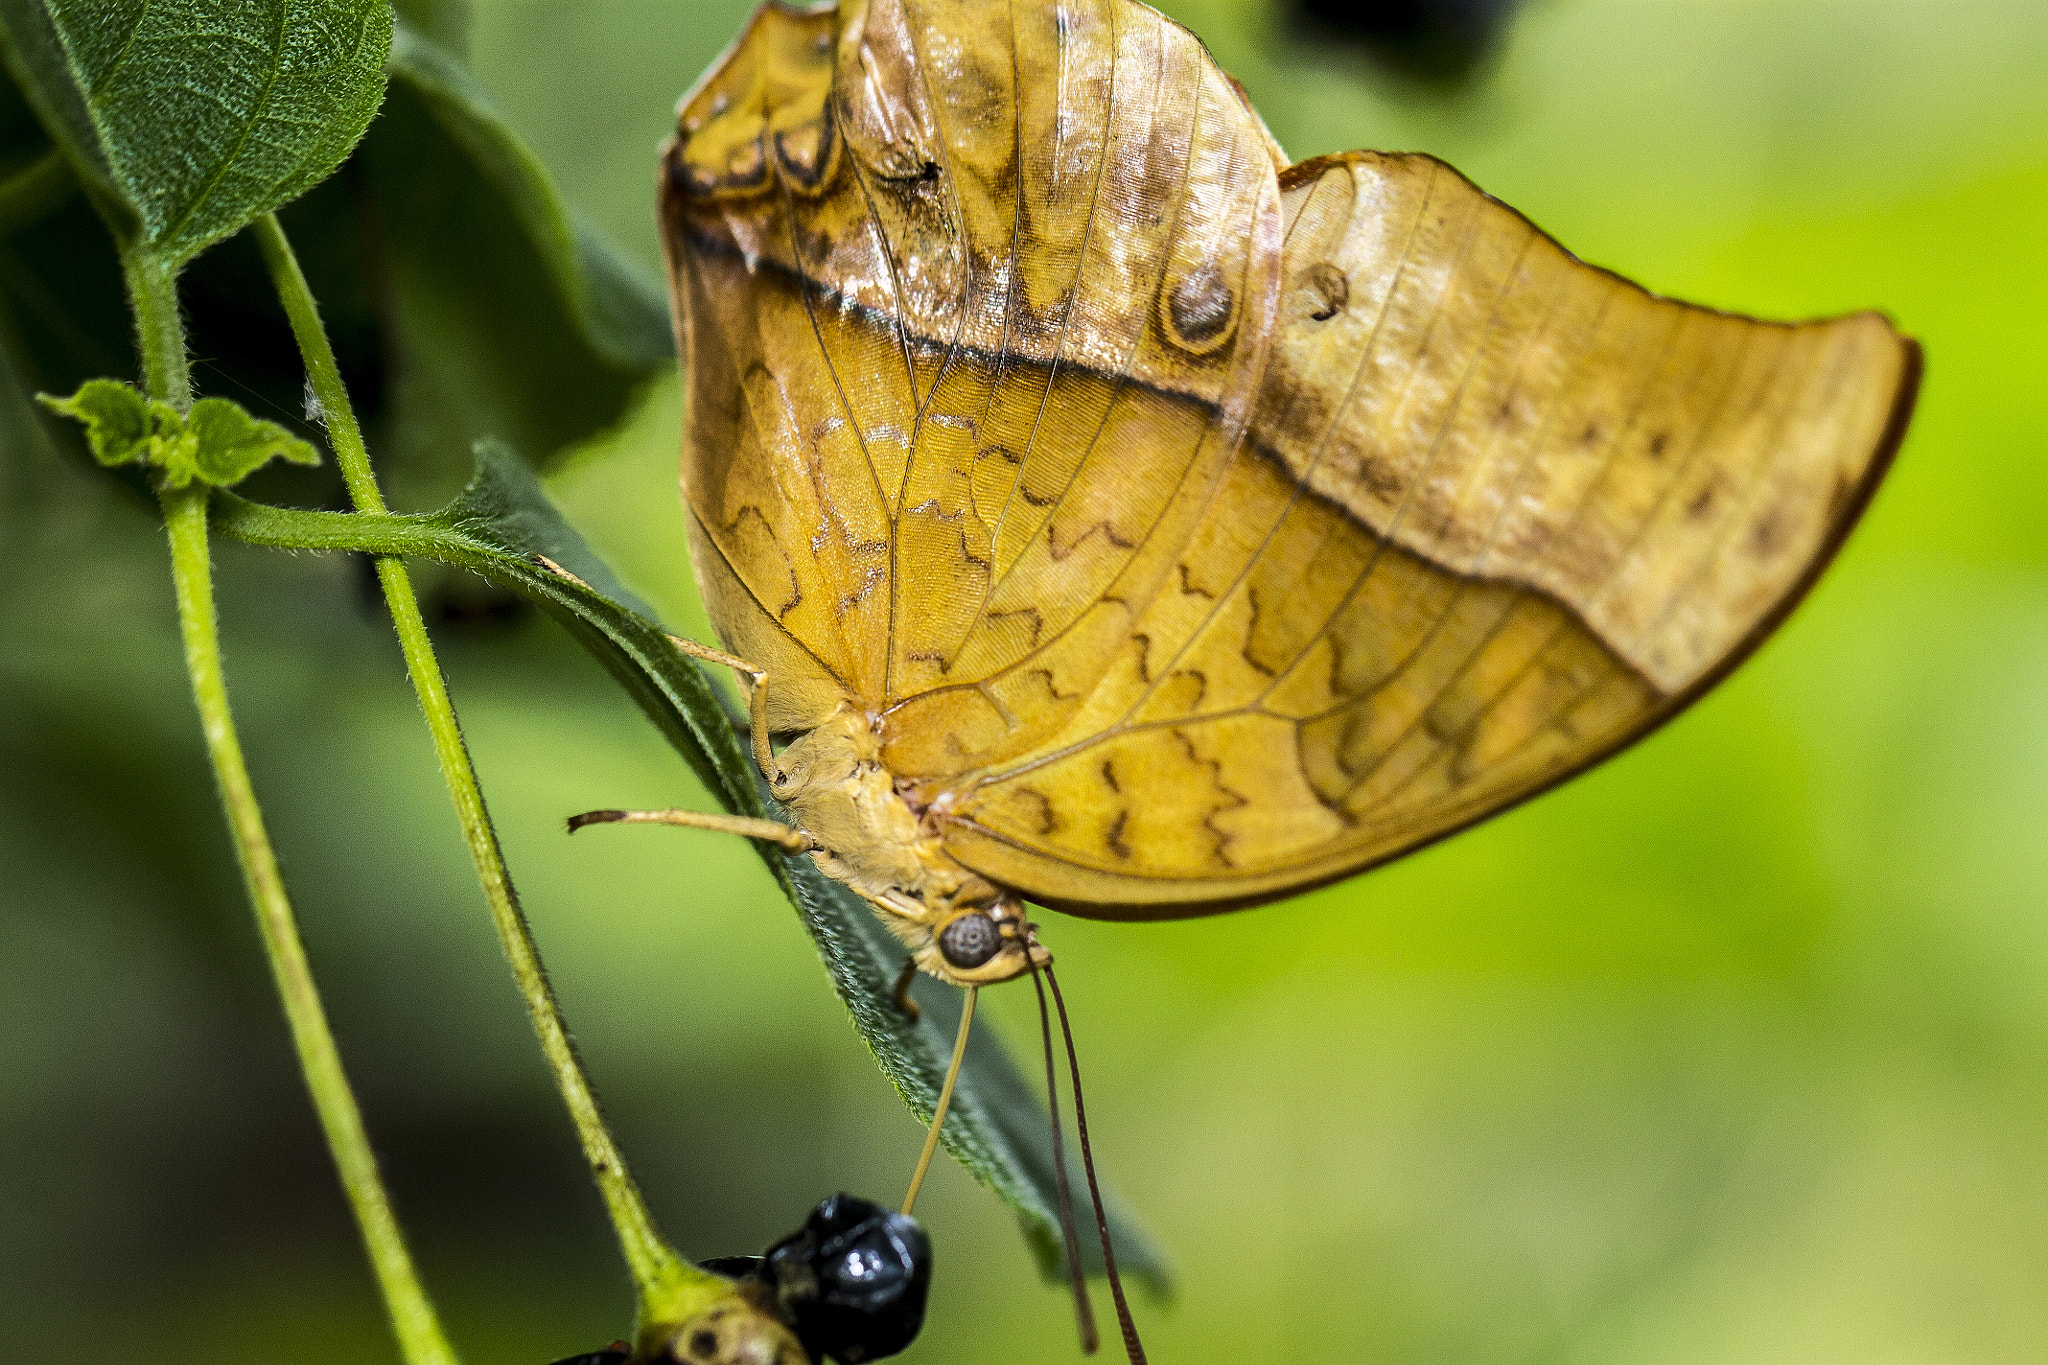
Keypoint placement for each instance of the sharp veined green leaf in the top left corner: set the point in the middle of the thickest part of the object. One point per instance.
(187, 122)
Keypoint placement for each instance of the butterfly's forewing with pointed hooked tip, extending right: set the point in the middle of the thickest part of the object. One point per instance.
(1498, 517)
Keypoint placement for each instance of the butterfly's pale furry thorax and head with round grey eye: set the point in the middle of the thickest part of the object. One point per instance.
(957, 924)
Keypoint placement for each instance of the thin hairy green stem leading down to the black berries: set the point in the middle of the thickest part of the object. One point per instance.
(656, 1268)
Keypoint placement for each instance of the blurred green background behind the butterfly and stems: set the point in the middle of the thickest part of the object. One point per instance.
(1732, 1051)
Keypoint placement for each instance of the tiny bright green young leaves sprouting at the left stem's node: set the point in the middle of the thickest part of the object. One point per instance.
(216, 443)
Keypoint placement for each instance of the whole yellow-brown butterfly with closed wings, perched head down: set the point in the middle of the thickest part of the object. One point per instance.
(1117, 517)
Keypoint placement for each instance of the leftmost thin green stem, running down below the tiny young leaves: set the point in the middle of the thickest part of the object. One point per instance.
(413, 1315)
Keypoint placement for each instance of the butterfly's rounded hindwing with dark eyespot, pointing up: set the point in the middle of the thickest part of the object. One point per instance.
(974, 302)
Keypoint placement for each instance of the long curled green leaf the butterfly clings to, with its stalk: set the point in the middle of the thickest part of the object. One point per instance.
(507, 529)
